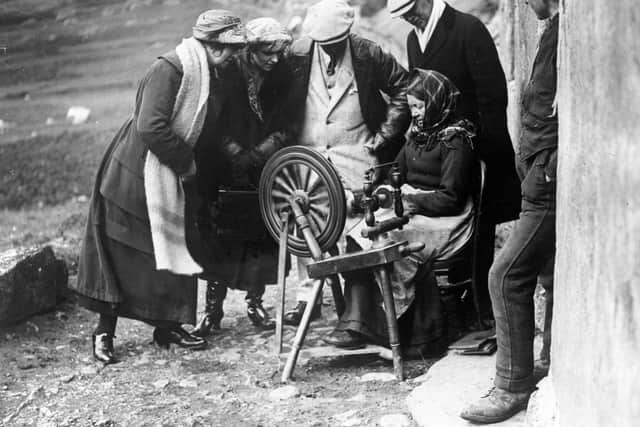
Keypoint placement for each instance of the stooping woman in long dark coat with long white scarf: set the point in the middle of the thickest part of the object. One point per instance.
(135, 261)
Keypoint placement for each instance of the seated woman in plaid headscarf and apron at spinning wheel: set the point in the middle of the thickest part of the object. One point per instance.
(436, 165)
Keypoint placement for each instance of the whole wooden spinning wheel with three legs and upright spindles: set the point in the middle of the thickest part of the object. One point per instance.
(303, 206)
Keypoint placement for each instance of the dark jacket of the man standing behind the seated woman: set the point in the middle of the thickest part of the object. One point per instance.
(462, 49)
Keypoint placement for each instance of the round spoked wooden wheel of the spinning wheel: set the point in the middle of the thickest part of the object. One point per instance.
(302, 175)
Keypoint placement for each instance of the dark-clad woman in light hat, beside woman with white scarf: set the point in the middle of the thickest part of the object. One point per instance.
(252, 127)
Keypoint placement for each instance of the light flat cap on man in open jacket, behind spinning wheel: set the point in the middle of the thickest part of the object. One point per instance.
(329, 21)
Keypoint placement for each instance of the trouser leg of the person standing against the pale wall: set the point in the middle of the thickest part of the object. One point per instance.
(512, 283)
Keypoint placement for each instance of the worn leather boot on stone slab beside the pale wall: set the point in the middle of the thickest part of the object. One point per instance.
(498, 405)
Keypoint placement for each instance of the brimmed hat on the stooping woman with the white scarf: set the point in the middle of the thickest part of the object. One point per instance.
(219, 26)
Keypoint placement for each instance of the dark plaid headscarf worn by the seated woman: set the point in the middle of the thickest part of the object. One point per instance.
(441, 97)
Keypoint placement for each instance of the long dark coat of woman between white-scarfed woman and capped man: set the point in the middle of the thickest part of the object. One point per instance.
(241, 254)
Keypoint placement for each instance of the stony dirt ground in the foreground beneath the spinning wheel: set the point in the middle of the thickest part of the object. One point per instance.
(48, 378)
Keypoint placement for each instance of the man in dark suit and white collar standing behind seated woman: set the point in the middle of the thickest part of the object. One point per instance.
(459, 46)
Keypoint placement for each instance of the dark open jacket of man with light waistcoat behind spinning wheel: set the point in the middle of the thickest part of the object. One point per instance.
(374, 71)
